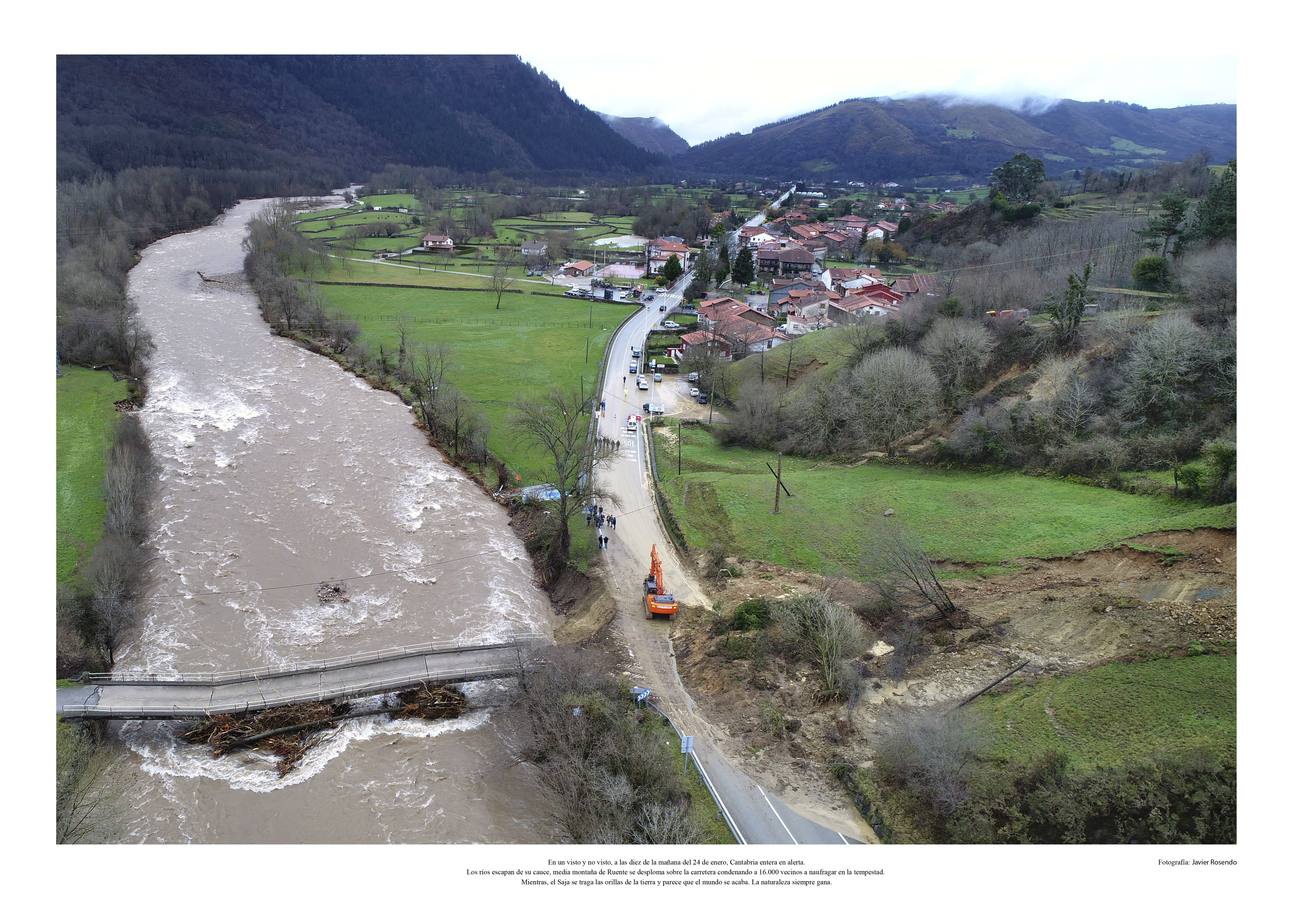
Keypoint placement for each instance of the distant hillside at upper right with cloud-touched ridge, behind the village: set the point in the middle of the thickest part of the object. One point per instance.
(924, 136)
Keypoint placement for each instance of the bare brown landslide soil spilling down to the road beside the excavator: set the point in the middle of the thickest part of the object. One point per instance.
(1060, 616)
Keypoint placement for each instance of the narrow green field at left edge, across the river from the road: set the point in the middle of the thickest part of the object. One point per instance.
(85, 433)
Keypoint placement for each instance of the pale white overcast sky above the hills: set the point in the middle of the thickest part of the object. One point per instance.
(714, 95)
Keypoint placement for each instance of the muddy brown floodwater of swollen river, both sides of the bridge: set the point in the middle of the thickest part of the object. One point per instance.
(279, 469)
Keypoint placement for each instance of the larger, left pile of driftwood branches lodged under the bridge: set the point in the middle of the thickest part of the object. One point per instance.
(286, 733)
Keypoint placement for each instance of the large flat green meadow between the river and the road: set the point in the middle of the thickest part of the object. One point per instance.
(532, 345)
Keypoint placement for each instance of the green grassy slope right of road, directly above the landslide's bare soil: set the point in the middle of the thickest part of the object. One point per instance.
(726, 496)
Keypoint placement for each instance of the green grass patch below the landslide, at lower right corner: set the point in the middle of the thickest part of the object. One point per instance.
(1118, 713)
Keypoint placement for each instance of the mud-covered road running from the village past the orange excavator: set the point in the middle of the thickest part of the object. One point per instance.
(761, 817)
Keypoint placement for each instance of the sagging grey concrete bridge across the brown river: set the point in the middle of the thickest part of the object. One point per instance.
(131, 696)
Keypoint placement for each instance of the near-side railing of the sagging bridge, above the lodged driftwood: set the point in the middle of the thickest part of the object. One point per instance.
(342, 692)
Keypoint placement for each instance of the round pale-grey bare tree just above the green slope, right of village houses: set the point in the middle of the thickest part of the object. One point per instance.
(899, 390)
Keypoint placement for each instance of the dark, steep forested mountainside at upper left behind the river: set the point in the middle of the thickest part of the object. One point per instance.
(329, 116)
